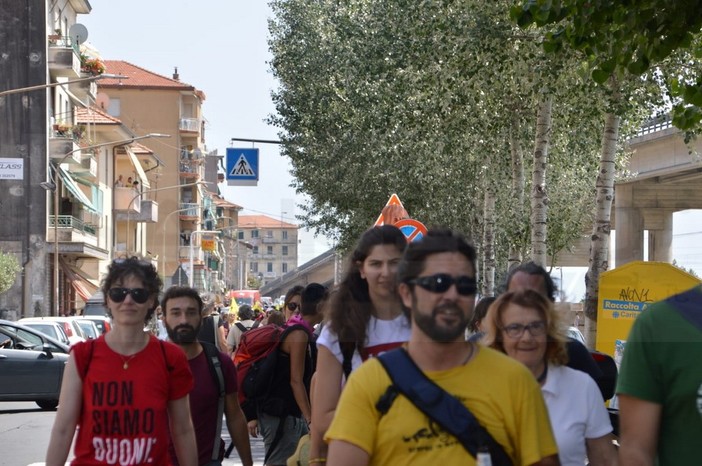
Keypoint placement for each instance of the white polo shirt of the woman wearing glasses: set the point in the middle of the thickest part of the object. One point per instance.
(576, 410)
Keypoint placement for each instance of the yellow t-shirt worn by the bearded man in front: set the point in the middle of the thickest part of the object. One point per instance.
(501, 393)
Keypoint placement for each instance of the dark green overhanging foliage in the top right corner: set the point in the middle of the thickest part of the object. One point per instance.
(631, 37)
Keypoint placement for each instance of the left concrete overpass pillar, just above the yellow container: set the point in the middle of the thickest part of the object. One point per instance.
(629, 227)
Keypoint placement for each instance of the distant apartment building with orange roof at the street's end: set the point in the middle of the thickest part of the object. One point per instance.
(273, 250)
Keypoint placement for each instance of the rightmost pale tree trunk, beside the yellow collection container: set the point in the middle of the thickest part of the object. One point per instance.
(599, 250)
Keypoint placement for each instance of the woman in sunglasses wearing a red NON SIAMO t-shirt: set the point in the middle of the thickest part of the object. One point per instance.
(126, 388)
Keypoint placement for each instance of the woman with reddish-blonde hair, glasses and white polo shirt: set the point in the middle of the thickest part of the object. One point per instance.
(524, 326)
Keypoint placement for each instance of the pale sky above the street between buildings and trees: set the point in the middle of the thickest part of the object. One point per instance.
(221, 48)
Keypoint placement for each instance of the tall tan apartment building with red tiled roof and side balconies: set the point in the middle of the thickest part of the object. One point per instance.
(153, 103)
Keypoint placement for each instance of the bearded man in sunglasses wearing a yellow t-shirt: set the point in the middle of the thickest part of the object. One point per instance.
(437, 287)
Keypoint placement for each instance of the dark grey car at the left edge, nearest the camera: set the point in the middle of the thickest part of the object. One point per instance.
(31, 365)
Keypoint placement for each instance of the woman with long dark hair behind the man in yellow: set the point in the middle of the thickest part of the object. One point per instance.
(364, 319)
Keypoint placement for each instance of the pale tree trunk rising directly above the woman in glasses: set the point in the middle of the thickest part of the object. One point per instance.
(539, 196)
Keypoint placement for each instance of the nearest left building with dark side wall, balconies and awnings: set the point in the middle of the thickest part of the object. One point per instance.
(58, 200)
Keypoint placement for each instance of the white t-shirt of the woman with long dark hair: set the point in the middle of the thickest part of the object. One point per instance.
(381, 336)
